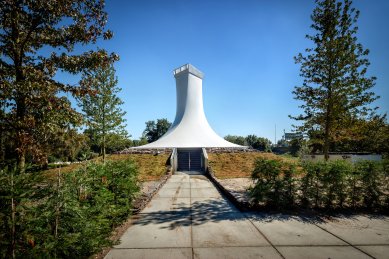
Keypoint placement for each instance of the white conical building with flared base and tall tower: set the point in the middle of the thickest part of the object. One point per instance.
(190, 128)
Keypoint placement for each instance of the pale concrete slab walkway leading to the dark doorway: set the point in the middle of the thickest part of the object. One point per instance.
(189, 218)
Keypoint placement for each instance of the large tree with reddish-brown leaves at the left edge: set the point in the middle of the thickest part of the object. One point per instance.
(37, 39)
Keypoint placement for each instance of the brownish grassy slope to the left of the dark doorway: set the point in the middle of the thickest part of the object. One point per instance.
(150, 167)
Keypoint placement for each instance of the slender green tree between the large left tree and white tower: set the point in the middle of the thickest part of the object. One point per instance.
(102, 109)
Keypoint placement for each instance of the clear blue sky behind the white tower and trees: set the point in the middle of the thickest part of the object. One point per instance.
(245, 48)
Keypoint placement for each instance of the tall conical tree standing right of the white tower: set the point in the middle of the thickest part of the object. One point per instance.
(335, 90)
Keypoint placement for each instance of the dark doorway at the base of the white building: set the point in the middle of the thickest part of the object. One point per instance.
(189, 159)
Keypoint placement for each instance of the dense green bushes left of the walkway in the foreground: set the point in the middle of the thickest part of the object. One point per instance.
(69, 216)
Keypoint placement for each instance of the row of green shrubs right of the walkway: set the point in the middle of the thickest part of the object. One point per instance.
(322, 185)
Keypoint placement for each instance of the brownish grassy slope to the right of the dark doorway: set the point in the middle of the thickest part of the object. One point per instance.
(233, 165)
